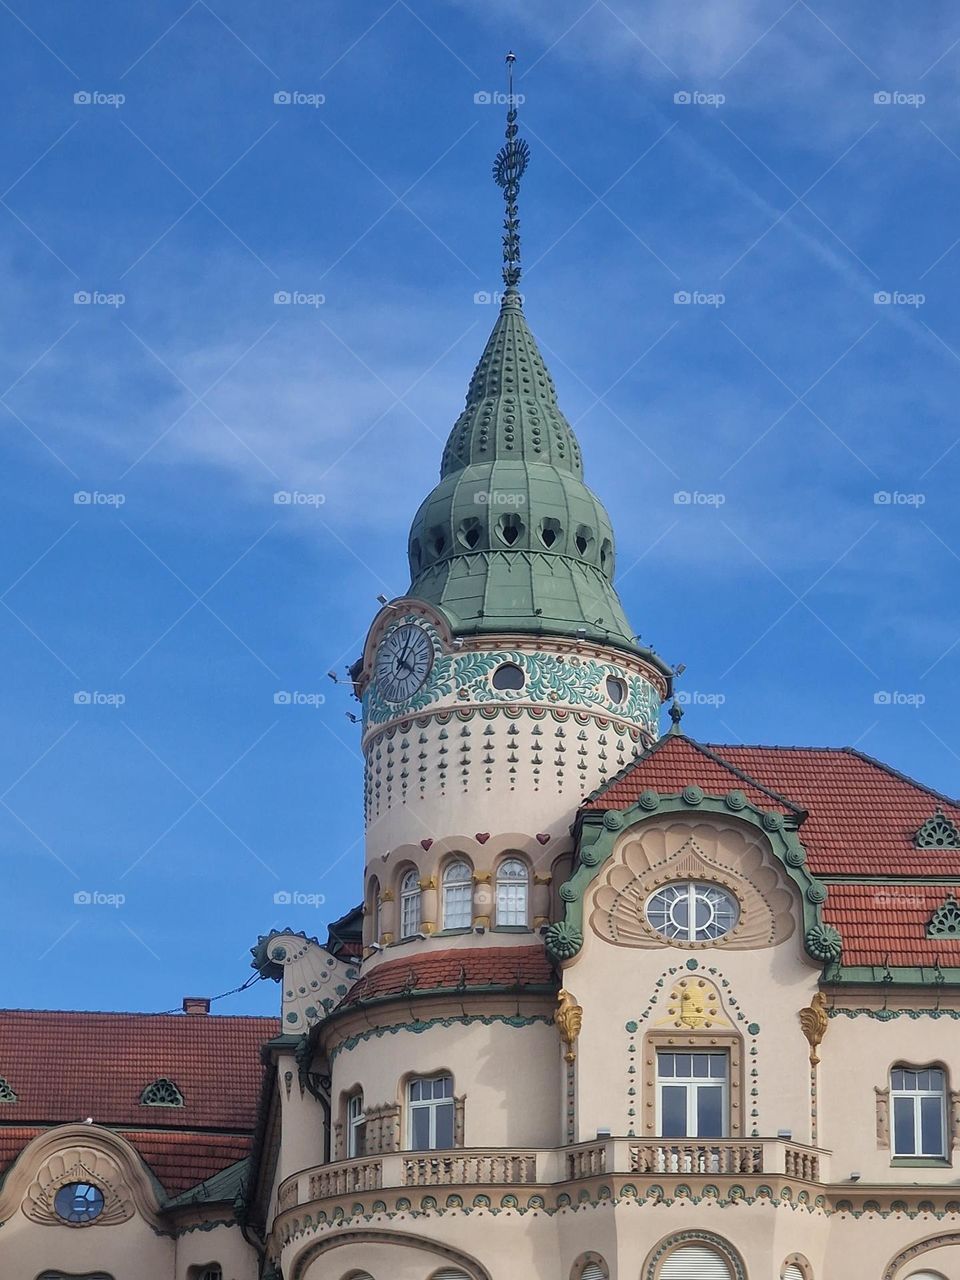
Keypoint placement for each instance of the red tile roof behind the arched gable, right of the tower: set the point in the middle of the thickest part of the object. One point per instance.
(861, 819)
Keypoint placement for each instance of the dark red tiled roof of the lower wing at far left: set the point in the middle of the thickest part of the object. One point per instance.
(67, 1067)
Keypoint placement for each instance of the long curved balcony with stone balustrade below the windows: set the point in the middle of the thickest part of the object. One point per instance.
(500, 1168)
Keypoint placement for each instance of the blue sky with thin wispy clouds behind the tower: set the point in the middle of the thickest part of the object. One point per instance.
(733, 153)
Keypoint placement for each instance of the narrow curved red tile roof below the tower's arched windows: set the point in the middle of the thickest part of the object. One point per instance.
(477, 967)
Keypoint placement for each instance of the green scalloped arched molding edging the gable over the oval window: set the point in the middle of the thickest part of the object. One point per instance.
(598, 833)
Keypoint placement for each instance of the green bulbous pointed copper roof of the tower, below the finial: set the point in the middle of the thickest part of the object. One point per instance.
(511, 540)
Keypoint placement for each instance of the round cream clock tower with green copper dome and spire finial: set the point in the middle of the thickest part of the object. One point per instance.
(506, 684)
